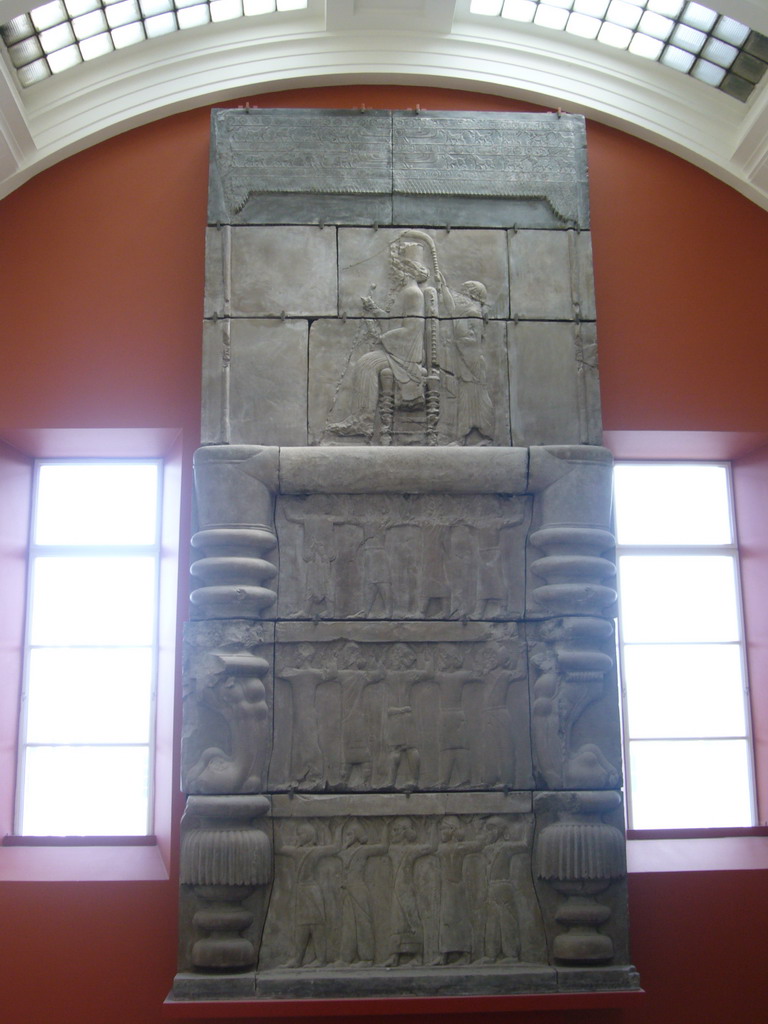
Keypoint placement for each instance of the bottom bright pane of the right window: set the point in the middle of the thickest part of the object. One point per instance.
(691, 784)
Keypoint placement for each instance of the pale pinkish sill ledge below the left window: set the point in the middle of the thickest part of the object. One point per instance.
(47, 859)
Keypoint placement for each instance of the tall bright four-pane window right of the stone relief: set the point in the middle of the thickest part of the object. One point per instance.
(681, 649)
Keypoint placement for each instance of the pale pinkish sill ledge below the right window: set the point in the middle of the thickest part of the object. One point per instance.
(715, 850)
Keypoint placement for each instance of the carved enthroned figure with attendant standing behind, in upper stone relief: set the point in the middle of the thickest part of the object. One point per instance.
(430, 363)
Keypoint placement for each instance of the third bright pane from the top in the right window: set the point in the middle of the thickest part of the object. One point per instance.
(685, 691)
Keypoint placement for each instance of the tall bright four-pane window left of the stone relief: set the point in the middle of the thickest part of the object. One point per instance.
(91, 653)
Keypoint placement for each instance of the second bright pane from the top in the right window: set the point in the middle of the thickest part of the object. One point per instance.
(678, 599)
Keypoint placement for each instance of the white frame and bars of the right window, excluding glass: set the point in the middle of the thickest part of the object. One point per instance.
(732, 550)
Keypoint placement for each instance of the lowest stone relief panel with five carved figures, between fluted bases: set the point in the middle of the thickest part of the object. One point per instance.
(395, 884)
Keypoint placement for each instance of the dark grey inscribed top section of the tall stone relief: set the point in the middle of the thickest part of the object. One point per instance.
(437, 168)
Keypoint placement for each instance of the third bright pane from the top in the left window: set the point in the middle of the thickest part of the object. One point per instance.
(81, 696)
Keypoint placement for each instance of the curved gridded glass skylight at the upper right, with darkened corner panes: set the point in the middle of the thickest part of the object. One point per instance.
(679, 34)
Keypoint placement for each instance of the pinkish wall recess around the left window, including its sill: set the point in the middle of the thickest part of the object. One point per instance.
(94, 859)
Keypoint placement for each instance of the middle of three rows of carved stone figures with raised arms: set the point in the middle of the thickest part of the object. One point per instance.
(404, 733)
